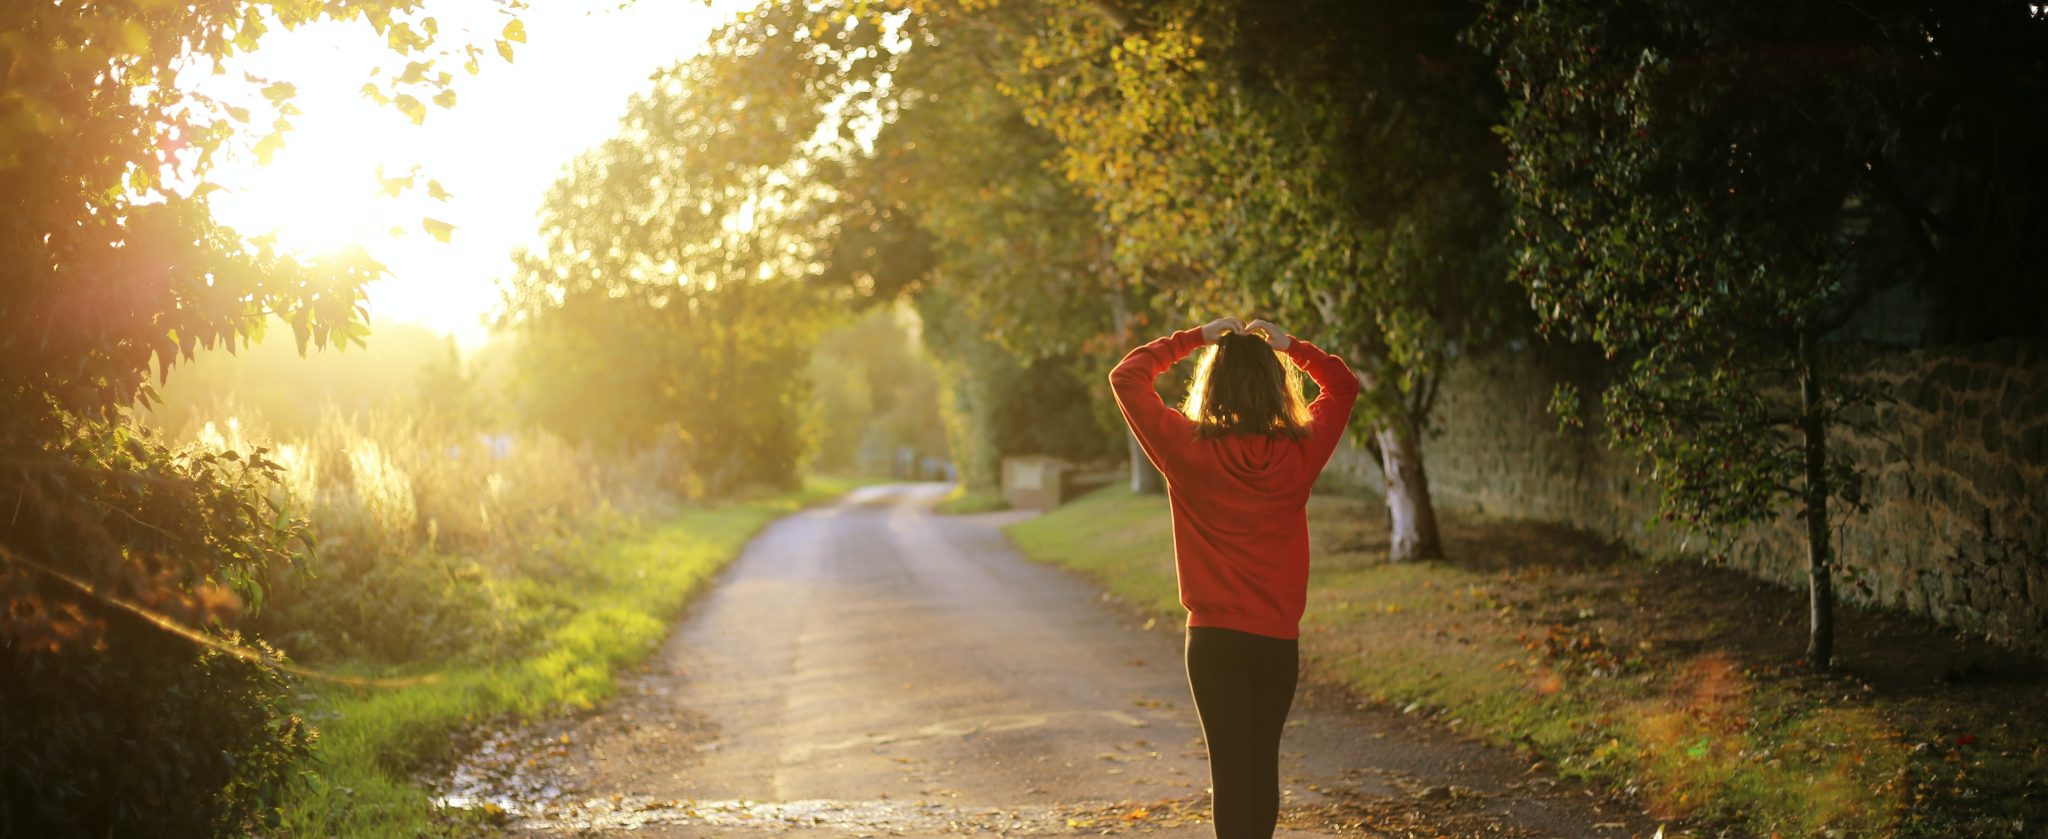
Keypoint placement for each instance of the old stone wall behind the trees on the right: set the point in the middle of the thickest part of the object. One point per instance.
(1957, 480)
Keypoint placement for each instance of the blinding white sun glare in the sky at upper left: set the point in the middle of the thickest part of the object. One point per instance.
(497, 152)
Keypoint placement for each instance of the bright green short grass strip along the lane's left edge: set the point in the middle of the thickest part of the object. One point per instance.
(617, 609)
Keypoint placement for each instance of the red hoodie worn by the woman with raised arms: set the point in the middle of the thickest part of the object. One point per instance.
(1240, 502)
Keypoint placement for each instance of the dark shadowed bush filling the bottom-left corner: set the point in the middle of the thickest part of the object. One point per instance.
(110, 723)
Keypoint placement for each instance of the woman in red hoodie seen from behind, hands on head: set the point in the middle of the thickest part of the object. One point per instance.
(1238, 461)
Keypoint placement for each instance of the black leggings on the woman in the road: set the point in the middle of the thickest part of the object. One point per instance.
(1244, 687)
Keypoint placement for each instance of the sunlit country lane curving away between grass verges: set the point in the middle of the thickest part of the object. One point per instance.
(869, 668)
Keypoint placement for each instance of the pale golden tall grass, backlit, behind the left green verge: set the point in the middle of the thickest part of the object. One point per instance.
(429, 533)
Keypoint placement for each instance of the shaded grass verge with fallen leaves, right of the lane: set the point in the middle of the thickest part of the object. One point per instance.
(1668, 680)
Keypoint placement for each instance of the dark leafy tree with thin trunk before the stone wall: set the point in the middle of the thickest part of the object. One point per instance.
(1709, 191)
